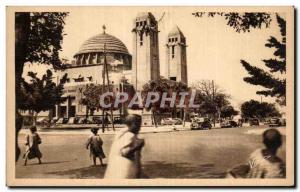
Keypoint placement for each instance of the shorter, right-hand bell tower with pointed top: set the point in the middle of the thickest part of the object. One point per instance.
(176, 67)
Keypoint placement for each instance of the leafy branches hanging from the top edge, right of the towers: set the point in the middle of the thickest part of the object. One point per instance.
(241, 22)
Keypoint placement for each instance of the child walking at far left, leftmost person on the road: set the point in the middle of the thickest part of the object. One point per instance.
(32, 144)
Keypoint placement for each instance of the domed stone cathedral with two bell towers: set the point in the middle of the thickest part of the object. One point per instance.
(136, 68)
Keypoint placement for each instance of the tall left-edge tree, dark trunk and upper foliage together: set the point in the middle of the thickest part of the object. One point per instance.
(38, 38)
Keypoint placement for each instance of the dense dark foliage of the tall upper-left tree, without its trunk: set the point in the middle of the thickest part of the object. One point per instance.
(43, 36)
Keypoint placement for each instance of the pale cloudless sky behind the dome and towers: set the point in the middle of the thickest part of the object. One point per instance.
(214, 49)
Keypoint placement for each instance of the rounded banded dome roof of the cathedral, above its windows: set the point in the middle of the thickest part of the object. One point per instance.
(96, 43)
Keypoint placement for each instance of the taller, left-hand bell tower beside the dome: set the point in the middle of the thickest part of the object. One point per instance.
(145, 59)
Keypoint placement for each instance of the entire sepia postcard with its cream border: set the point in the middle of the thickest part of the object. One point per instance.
(150, 96)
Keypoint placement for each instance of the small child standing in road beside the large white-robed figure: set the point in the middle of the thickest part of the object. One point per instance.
(95, 144)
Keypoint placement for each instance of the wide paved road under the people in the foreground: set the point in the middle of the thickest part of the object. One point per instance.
(181, 154)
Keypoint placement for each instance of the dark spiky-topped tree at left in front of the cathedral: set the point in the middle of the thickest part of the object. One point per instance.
(41, 94)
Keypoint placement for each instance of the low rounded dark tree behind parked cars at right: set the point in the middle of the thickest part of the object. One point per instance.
(255, 109)
